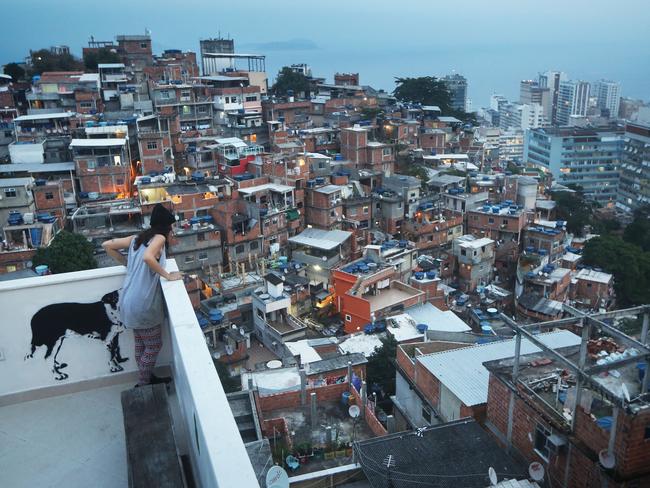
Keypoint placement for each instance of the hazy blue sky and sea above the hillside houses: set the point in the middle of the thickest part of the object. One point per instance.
(493, 43)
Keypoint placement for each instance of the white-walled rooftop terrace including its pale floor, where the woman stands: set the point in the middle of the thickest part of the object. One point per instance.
(69, 431)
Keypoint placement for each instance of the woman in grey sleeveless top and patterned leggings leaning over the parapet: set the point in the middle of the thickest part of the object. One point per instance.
(141, 300)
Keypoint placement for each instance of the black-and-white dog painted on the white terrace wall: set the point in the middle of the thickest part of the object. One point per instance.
(98, 320)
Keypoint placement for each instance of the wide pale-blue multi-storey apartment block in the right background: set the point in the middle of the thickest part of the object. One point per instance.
(588, 157)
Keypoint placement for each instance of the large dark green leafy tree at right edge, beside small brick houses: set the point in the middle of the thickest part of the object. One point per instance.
(629, 264)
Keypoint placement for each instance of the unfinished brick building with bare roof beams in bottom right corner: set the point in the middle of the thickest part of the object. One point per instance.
(589, 431)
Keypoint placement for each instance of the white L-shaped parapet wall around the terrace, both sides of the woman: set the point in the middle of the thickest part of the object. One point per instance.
(217, 452)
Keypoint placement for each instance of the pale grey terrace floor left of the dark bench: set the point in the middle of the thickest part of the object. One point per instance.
(74, 440)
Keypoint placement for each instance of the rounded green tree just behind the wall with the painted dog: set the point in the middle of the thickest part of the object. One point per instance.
(66, 253)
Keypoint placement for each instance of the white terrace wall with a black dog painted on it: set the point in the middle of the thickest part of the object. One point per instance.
(72, 319)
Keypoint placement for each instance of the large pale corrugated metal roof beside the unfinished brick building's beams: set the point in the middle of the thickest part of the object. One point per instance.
(462, 370)
